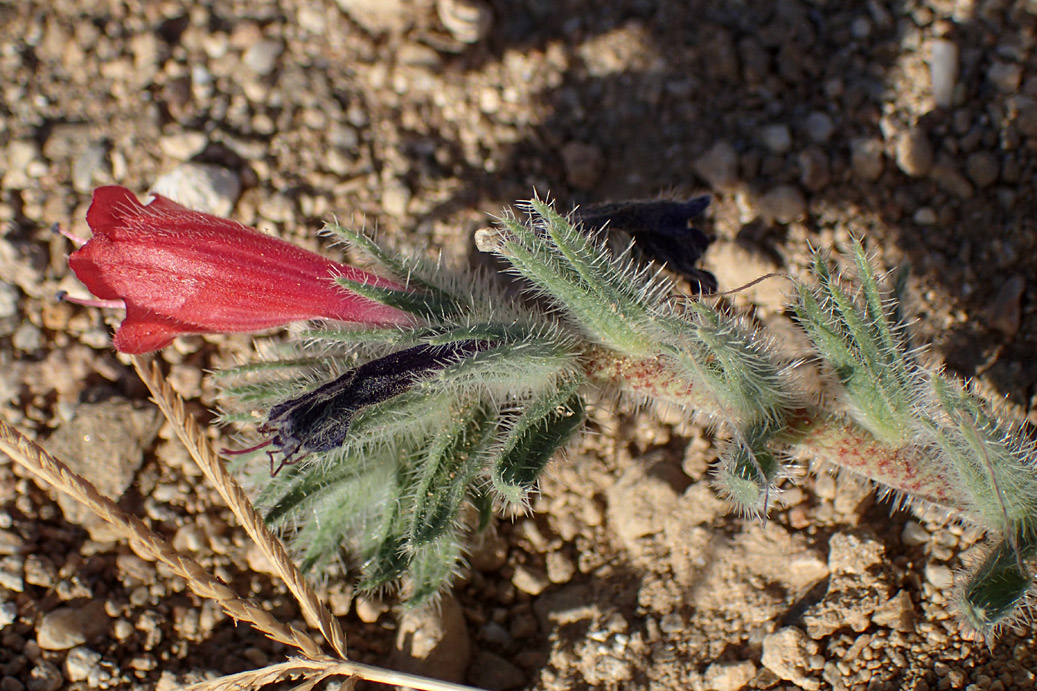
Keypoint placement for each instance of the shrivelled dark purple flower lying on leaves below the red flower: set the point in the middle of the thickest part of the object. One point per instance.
(319, 421)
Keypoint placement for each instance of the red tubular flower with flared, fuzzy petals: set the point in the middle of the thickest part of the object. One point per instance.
(180, 271)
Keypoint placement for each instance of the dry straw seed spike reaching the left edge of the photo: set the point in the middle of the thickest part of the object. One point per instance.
(27, 454)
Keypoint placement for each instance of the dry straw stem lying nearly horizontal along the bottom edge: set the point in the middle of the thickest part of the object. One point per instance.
(316, 672)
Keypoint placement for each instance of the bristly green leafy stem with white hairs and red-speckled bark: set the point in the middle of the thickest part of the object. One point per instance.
(408, 453)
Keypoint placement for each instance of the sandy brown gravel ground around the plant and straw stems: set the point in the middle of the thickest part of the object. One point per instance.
(913, 125)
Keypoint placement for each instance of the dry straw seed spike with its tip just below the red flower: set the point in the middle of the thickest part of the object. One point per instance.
(202, 451)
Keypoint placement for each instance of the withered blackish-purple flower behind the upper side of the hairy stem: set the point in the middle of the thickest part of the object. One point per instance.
(662, 230)
